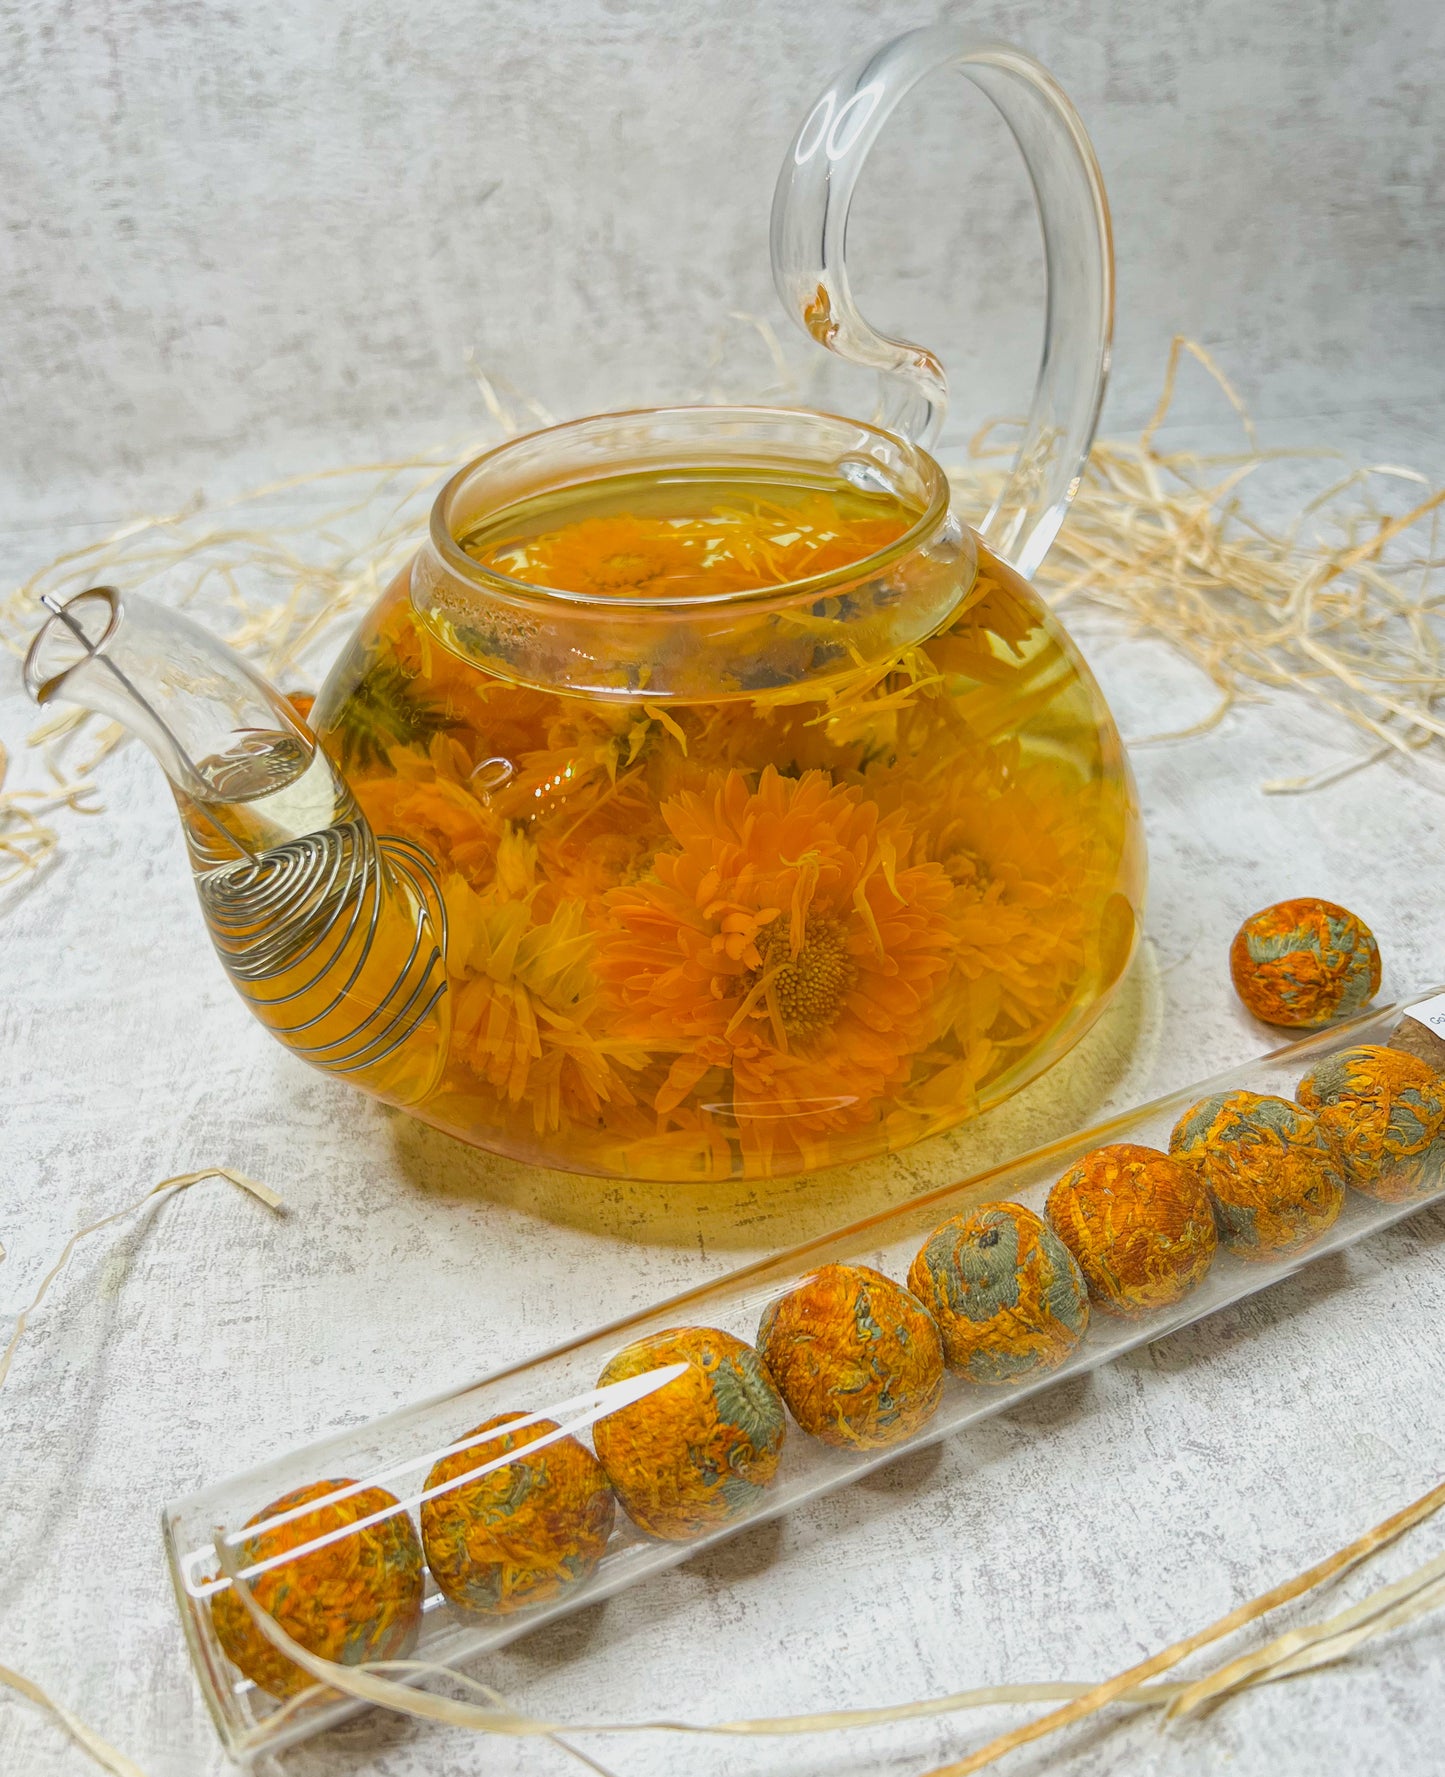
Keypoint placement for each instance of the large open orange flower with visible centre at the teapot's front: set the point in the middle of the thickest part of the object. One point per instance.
(790, 948)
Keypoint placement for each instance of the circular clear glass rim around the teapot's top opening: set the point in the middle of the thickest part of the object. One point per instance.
(930, 520)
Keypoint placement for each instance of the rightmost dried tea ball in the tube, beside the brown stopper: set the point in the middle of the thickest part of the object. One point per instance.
(1385, 1113)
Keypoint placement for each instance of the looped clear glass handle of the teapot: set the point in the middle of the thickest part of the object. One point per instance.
(810, 235)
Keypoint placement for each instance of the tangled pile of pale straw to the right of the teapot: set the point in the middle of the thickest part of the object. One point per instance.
(1162, 541)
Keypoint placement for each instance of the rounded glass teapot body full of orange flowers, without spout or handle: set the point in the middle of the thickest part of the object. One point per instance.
(778, 824)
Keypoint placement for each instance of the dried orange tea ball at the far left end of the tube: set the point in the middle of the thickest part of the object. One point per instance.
(351, 1600)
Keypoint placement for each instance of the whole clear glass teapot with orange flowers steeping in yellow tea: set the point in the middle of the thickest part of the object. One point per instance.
(705, 799)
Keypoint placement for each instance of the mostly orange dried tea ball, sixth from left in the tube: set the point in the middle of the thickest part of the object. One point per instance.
(1140, 1225)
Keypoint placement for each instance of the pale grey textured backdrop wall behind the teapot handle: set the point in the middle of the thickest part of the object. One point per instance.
(282, 225)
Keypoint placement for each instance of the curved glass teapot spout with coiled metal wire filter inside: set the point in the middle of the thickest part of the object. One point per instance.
(337, 941)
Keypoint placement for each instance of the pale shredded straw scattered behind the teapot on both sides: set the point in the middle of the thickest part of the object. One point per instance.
(1337, 605)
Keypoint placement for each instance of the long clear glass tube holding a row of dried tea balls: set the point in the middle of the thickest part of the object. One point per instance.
(399, 1453)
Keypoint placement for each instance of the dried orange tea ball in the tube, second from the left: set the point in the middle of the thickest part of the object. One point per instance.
(523, 1531)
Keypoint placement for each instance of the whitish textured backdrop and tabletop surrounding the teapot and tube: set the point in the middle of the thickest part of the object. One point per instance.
(264, 237)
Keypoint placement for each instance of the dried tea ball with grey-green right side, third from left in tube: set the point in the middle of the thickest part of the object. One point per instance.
(701, 1449)
